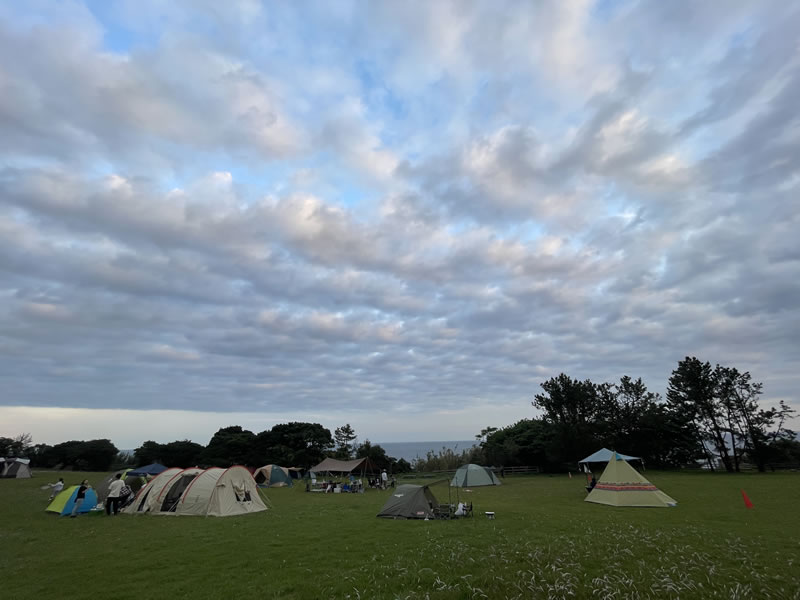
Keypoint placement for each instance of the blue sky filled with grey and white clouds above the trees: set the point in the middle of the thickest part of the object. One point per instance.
(404, 216)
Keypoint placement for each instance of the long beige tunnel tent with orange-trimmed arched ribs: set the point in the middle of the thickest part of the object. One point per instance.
(213, 492)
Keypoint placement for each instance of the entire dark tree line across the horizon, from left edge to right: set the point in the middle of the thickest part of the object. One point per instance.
(710, 414)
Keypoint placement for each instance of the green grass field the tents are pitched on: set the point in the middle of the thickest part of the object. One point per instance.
(545, 543)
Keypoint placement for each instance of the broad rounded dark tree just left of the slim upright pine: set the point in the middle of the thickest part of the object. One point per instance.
(294, 444)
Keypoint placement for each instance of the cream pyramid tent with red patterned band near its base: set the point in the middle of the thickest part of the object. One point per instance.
(621, 485)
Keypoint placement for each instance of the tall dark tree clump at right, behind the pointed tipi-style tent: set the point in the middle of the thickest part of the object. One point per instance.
(711, 414)
